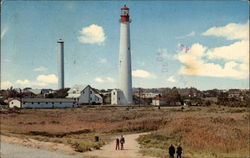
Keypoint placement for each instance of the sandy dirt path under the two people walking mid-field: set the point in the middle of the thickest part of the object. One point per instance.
(131, 149)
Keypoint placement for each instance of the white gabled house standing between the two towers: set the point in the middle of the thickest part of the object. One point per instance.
(85, 94)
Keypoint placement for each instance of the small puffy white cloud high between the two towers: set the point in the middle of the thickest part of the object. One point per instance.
(92, 34)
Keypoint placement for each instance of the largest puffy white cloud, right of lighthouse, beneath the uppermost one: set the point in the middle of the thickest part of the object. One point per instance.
(195, 62)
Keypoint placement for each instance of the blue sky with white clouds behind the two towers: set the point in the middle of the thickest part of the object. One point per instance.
(202, 44)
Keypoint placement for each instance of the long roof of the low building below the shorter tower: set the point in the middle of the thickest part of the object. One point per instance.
(47, 100)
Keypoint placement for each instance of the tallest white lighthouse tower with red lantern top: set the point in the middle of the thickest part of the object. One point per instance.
(125, 79)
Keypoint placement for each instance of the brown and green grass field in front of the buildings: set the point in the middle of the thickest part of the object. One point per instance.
(203, 131)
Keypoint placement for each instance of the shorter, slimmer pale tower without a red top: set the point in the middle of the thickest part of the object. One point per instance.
(60, 63)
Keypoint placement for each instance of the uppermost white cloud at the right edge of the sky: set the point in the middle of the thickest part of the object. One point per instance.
(232, 31)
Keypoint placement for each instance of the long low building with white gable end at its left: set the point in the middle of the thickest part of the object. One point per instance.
(43, 103)
